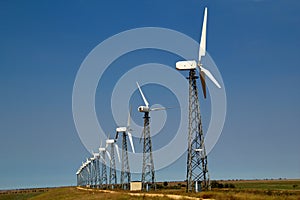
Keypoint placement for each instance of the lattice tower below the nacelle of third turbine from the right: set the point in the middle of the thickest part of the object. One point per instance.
(125, 173)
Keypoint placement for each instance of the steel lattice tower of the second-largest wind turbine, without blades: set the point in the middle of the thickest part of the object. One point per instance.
(148, 175)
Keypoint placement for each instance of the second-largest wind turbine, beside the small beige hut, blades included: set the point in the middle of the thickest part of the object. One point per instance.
(148, 175)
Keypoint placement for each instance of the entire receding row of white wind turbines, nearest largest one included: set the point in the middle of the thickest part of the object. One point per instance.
(93, 172)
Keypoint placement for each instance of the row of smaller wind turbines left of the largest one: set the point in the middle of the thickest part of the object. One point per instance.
(92, 174)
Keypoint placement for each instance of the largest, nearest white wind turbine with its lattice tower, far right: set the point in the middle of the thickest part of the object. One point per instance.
(197, 166)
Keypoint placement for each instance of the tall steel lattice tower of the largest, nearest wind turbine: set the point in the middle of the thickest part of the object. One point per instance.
(197, 172)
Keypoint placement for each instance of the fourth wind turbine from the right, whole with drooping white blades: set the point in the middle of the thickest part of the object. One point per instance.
(112, 170)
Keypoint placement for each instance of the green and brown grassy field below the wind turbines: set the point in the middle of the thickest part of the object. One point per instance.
(260, 189)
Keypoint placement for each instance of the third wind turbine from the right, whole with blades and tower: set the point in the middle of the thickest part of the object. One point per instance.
(125, 173)
